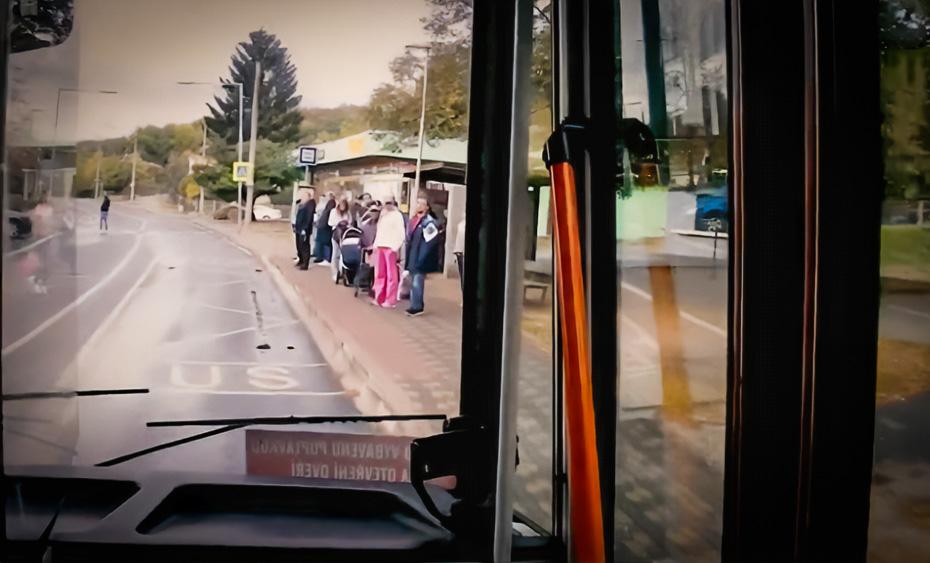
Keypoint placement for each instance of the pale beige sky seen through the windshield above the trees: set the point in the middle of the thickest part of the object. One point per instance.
(142, 48)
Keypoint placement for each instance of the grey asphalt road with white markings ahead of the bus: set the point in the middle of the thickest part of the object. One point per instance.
(156, 303)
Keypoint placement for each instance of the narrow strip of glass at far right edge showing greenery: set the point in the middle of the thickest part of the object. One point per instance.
(899, 525)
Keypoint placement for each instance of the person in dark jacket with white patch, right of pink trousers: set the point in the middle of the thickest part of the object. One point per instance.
(423, 239)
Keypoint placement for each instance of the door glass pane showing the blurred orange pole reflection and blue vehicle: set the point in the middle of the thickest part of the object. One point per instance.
(672, 224)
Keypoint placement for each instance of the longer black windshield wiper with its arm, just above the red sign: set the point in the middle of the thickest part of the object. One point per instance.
(229, 424)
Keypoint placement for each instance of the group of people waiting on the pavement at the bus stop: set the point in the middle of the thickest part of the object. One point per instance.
(386, 233)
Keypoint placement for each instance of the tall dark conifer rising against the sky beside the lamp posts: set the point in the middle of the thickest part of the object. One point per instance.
(279, 120)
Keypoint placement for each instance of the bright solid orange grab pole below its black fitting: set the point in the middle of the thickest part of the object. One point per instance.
(584, 493)
